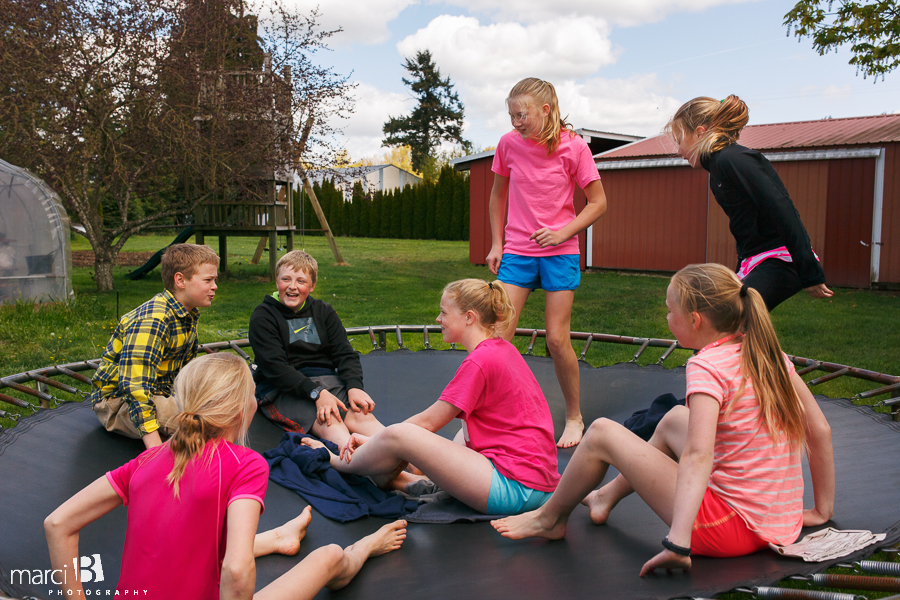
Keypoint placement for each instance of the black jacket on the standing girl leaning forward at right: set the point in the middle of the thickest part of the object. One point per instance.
(760, 212)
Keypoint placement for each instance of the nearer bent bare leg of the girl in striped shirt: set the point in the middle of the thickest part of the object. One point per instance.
(650, 472)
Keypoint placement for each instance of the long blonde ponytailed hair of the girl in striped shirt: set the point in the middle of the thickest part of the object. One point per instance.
(716, 293)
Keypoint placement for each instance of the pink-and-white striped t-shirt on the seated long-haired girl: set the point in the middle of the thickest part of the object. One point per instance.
(757, 476)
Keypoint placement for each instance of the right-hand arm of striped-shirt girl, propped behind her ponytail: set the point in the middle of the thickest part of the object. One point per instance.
(820, 453)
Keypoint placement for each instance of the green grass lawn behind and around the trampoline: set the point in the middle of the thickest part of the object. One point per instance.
(393, 282)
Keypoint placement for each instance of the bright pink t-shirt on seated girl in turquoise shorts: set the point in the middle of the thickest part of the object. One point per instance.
(506, 414)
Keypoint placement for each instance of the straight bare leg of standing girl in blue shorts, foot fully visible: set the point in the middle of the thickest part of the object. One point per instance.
(558, 317)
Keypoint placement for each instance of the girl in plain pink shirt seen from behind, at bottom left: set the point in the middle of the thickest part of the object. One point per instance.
(194, 505)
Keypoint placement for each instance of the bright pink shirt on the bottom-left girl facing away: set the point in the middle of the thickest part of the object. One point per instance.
(174, 548)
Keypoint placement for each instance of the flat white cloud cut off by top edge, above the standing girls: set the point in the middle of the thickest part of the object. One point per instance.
(627, 13)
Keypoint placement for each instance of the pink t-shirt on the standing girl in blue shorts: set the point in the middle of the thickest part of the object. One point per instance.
(541, 189)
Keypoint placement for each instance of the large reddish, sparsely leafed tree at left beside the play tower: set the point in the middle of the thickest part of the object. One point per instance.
(140, 110)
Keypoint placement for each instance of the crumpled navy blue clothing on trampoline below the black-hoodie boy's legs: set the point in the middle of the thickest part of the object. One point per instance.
(338, 496)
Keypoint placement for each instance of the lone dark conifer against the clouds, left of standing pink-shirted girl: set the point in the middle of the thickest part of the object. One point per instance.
(438, 116)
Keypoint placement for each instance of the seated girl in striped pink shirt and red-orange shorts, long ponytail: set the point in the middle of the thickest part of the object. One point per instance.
(724, 472)
